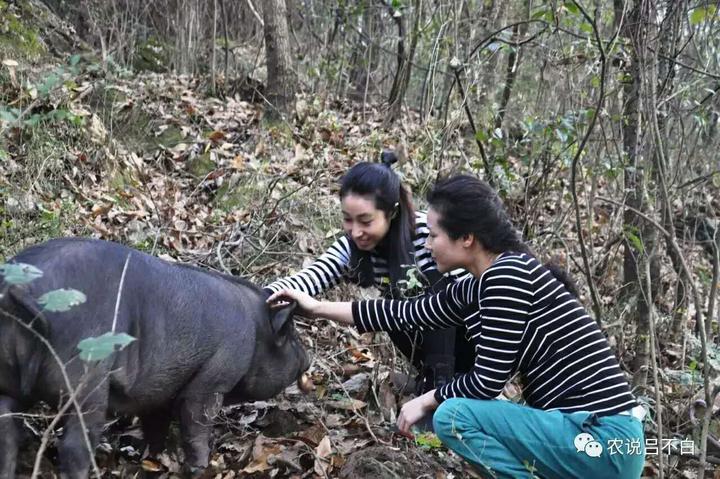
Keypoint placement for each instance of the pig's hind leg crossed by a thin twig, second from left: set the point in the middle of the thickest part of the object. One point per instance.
(73, 449)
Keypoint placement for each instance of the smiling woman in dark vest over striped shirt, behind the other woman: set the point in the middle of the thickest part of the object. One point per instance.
(384, 239)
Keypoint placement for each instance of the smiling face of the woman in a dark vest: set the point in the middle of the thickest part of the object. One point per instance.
(363, 222)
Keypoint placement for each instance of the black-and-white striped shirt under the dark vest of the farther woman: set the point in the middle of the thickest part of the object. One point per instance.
(334, 265)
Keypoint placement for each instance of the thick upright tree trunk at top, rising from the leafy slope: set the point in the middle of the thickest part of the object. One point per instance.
(280, 75)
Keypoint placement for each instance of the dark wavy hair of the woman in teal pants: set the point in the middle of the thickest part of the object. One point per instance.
(468, 205)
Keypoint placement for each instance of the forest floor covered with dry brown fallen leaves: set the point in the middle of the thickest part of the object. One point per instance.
(159, 163)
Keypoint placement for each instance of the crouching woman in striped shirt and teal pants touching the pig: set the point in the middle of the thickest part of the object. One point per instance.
(579, 418)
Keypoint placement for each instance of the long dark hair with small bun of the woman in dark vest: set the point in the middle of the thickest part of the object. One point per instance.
(380, 182)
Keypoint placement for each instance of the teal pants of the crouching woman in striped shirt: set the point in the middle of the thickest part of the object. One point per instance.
(503, 439)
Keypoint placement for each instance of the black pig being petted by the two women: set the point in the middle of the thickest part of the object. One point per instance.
(203, 339)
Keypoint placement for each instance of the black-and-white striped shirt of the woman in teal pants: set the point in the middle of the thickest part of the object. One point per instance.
(524, 322)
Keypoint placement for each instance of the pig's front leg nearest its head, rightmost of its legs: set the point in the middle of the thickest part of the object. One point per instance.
(196, 416)
